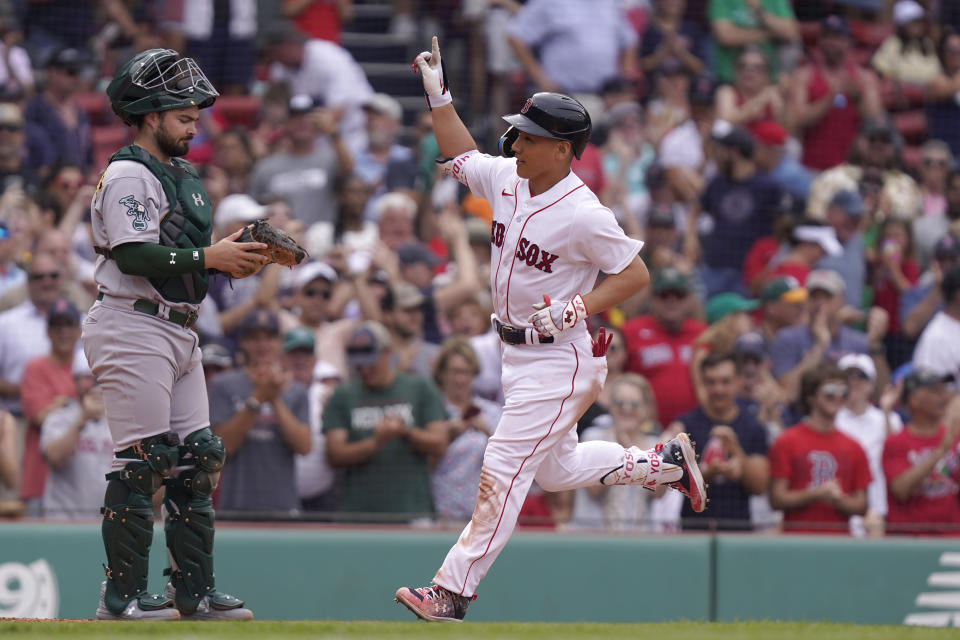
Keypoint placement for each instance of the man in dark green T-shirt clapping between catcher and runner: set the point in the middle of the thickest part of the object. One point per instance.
(382, 427)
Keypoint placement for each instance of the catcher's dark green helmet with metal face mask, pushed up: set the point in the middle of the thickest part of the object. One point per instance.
(158, 80)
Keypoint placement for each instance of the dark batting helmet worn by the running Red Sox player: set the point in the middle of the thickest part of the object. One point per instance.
(549, 115)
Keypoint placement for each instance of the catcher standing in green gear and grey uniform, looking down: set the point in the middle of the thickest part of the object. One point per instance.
(151, 226)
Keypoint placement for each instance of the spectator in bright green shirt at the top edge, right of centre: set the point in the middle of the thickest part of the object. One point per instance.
(738, 23)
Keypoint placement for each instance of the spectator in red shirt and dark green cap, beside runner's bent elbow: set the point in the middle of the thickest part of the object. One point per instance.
(660, 345)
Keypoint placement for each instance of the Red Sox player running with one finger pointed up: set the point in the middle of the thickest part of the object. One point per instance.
(550, 238)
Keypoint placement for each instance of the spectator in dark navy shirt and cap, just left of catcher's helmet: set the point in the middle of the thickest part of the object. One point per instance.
(58, 112)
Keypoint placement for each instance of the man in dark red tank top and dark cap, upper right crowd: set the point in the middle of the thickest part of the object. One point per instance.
(830, 97)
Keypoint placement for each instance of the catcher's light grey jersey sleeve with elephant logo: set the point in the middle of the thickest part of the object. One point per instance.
(129, 203)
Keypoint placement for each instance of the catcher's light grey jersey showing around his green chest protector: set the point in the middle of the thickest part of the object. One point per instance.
(127, 207)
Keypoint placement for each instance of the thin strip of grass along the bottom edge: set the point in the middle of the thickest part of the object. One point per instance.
(270, 630)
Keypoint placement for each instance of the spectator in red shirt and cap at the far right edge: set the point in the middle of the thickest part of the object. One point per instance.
(921, 463)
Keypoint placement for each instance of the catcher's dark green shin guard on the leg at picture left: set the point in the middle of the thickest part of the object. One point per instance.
(127, 534)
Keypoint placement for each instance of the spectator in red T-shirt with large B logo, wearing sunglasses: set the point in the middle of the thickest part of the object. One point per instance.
(819, 475)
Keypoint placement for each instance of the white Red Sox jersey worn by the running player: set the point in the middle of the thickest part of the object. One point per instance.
(554, 243)
